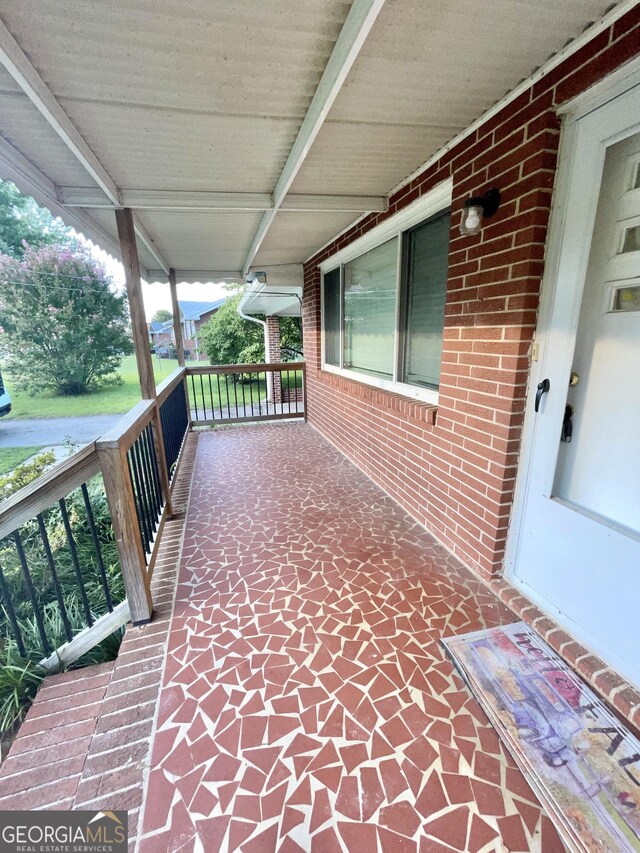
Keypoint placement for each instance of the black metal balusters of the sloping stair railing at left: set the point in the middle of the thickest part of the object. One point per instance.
(59, 571)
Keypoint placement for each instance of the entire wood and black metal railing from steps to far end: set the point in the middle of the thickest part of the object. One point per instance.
(133, 469)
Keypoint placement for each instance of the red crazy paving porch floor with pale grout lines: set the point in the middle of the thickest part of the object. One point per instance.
(307, 704)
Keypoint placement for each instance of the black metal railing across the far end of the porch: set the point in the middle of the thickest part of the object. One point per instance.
(246, 392)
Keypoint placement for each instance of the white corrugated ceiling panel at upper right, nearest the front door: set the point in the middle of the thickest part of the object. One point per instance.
(434, 63)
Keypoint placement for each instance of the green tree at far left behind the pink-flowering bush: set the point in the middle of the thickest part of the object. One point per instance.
(23, 221)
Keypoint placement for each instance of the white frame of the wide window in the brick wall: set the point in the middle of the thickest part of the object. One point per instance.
(432, 204)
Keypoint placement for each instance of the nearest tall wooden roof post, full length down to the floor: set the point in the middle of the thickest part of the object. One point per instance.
(129, 250)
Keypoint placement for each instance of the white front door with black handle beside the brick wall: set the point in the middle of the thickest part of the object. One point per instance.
(575, 543)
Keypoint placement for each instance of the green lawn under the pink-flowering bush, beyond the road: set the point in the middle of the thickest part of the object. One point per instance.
(110, 401)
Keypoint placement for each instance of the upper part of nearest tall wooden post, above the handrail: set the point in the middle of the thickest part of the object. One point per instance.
(129, 250)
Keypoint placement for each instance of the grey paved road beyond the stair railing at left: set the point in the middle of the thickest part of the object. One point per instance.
(54, 431)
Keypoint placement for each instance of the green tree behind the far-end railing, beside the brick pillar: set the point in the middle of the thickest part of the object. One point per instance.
(227, 338)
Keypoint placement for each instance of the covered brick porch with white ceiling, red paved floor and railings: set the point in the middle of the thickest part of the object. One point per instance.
(281, 683)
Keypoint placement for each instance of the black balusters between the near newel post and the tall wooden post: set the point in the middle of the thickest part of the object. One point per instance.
(147, 490)
